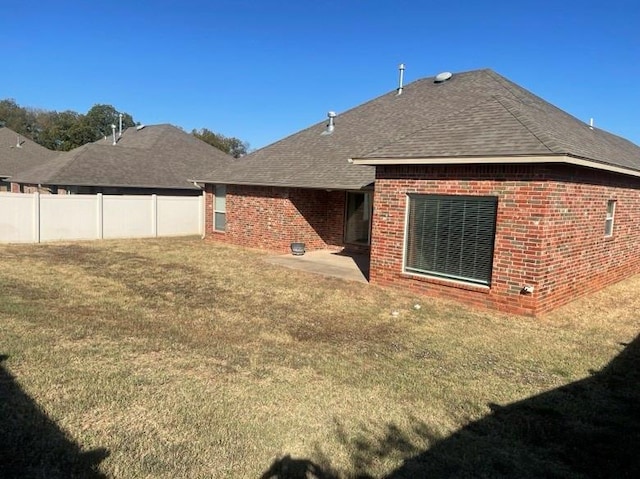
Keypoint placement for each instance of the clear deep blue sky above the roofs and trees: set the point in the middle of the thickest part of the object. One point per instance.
(262, 70)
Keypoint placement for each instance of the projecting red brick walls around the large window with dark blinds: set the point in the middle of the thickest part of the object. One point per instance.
(549, 234)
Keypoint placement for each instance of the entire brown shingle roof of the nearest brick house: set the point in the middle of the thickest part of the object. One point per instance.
(473, 114)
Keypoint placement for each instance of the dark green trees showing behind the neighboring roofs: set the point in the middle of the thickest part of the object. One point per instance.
(66, 130)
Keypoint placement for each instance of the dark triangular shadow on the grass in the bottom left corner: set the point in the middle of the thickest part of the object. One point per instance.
(32, 445)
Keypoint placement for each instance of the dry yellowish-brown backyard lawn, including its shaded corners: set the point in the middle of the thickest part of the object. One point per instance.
(181, 358)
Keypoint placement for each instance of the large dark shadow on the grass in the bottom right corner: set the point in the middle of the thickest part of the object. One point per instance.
(589, 428)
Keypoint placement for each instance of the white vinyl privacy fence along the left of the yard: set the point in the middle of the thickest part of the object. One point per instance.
(35, 218)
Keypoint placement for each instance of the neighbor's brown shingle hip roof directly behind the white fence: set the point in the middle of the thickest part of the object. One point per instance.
(157, 156)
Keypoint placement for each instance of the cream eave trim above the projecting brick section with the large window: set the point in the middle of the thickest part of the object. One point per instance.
(506, 159)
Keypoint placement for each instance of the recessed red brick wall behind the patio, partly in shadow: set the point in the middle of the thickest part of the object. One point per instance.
(272, 218)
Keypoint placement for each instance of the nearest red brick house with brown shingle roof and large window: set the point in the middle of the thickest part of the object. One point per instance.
(484, 193)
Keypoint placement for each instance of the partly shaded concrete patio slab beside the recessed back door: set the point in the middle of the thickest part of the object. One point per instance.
(352, 267)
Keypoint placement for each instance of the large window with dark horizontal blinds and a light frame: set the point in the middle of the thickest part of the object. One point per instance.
(451, 236)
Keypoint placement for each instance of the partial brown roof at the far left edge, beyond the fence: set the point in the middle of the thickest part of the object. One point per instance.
(18, 153)
